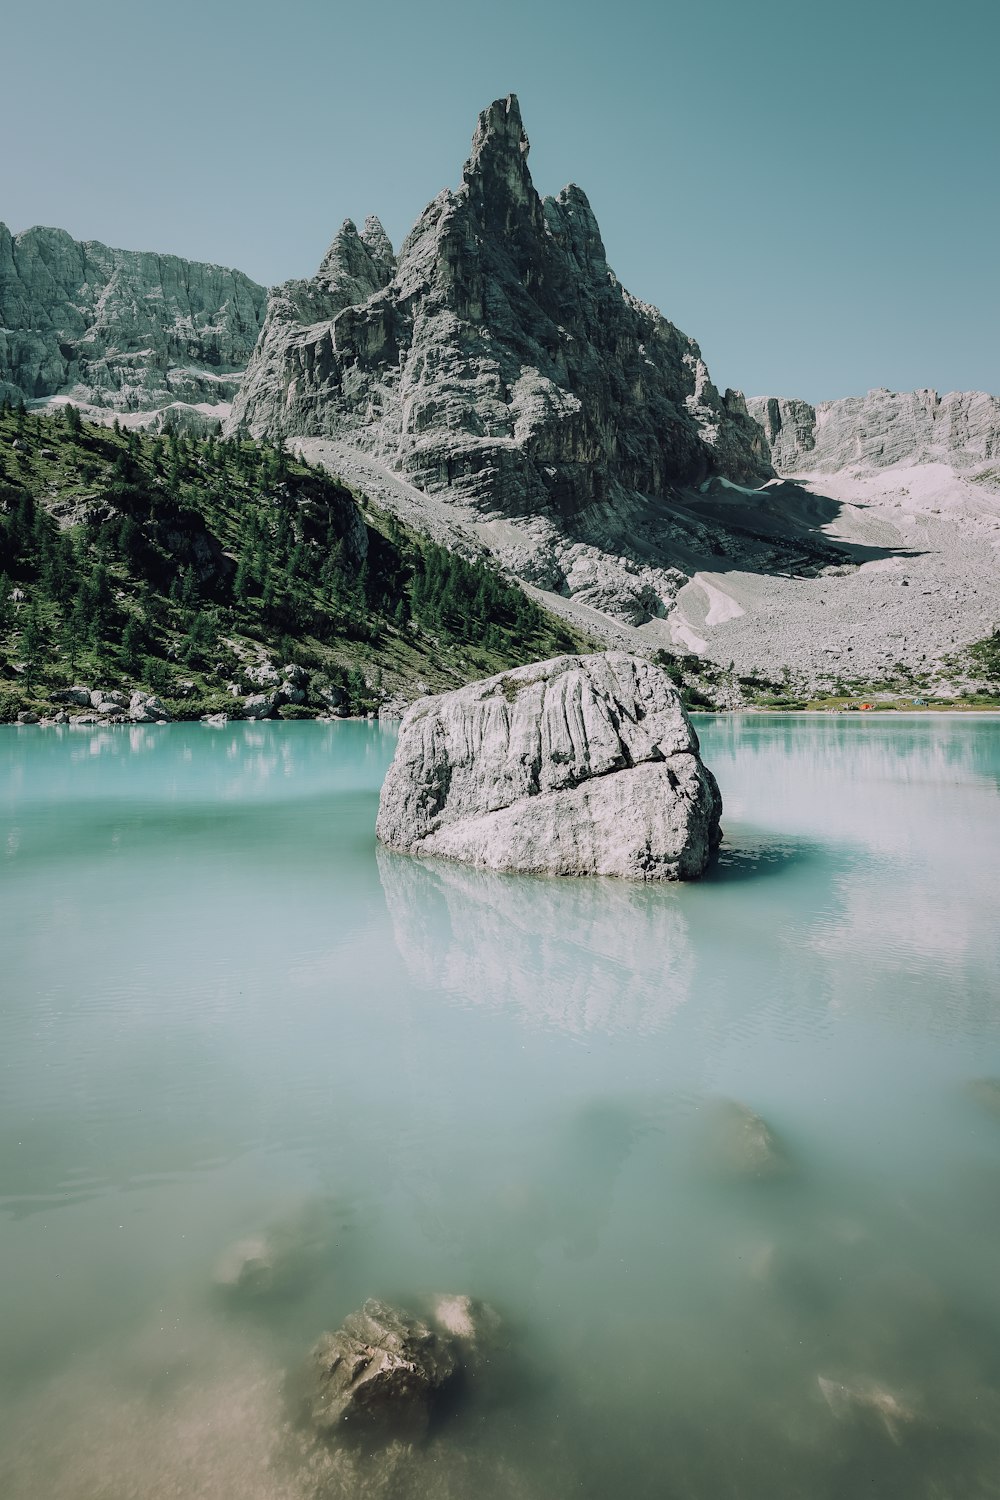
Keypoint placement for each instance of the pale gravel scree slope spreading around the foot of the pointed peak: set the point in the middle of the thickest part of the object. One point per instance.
(939, 592)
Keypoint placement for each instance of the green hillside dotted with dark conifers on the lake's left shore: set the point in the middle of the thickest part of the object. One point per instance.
(175, 565)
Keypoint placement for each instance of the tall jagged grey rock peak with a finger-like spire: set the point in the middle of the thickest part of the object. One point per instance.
(499, 358)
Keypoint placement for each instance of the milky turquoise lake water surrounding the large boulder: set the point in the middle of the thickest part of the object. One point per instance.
(227, 1019)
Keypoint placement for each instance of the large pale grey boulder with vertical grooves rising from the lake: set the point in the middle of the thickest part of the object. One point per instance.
(578, 766)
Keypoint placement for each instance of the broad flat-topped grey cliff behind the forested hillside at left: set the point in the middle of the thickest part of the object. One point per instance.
(121, 329)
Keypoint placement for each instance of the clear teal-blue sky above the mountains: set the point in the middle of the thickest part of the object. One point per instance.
(810, 191)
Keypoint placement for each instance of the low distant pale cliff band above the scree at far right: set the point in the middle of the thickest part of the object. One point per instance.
(881, 430)
